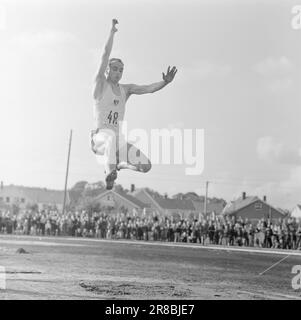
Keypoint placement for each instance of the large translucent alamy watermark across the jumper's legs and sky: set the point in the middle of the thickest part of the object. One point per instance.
(161, 146)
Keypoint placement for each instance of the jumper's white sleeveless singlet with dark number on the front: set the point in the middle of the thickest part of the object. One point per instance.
(109, 109)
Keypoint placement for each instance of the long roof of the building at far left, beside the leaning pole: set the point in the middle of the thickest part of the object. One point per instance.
(39, 195)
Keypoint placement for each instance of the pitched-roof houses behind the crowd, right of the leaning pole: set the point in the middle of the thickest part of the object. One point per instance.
(250, 207)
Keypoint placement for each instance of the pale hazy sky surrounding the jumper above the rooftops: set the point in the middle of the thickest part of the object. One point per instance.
(239, 71)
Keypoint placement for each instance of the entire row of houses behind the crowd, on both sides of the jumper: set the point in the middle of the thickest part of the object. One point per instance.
(143, 201)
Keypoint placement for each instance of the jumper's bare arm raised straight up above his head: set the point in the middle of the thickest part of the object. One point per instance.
(100, 77)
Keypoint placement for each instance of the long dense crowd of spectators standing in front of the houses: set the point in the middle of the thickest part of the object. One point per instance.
(283, 233)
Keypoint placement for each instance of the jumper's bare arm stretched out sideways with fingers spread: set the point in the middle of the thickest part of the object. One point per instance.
(143, 89)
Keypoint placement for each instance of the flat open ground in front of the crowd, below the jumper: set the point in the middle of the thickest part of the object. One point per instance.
(75, 268)
